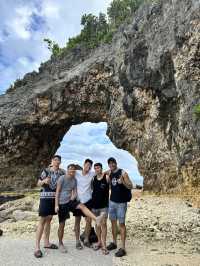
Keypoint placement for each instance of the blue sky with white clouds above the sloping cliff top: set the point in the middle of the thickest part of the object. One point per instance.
(60, 20)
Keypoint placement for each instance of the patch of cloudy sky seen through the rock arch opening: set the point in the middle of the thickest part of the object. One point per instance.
(89, 140)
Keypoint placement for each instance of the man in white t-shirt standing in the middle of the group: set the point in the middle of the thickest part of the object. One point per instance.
(84, 178)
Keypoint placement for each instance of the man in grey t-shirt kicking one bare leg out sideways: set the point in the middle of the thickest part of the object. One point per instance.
(65, 202)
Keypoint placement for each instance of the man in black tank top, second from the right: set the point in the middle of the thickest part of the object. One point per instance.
(100, 199)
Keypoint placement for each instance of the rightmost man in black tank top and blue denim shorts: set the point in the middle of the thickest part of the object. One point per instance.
(121, 186)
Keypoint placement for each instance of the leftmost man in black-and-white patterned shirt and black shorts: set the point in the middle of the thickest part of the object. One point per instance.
(47, 181)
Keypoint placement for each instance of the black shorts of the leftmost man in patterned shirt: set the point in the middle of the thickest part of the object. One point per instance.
(47, 207)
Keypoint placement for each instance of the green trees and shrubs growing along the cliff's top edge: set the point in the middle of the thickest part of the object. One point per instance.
(99, 29)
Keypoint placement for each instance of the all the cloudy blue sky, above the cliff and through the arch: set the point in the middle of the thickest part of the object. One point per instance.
(23, 26)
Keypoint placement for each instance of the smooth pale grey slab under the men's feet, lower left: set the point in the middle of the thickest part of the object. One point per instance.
(20, 252)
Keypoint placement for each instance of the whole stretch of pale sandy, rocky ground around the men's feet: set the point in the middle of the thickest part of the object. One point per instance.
(161, 231)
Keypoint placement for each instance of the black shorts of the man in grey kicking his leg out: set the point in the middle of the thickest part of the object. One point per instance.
(65, 209)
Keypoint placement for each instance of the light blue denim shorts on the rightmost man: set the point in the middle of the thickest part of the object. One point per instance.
(117, 211)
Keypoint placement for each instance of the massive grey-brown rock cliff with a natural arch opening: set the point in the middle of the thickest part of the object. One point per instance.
(144, 85)
